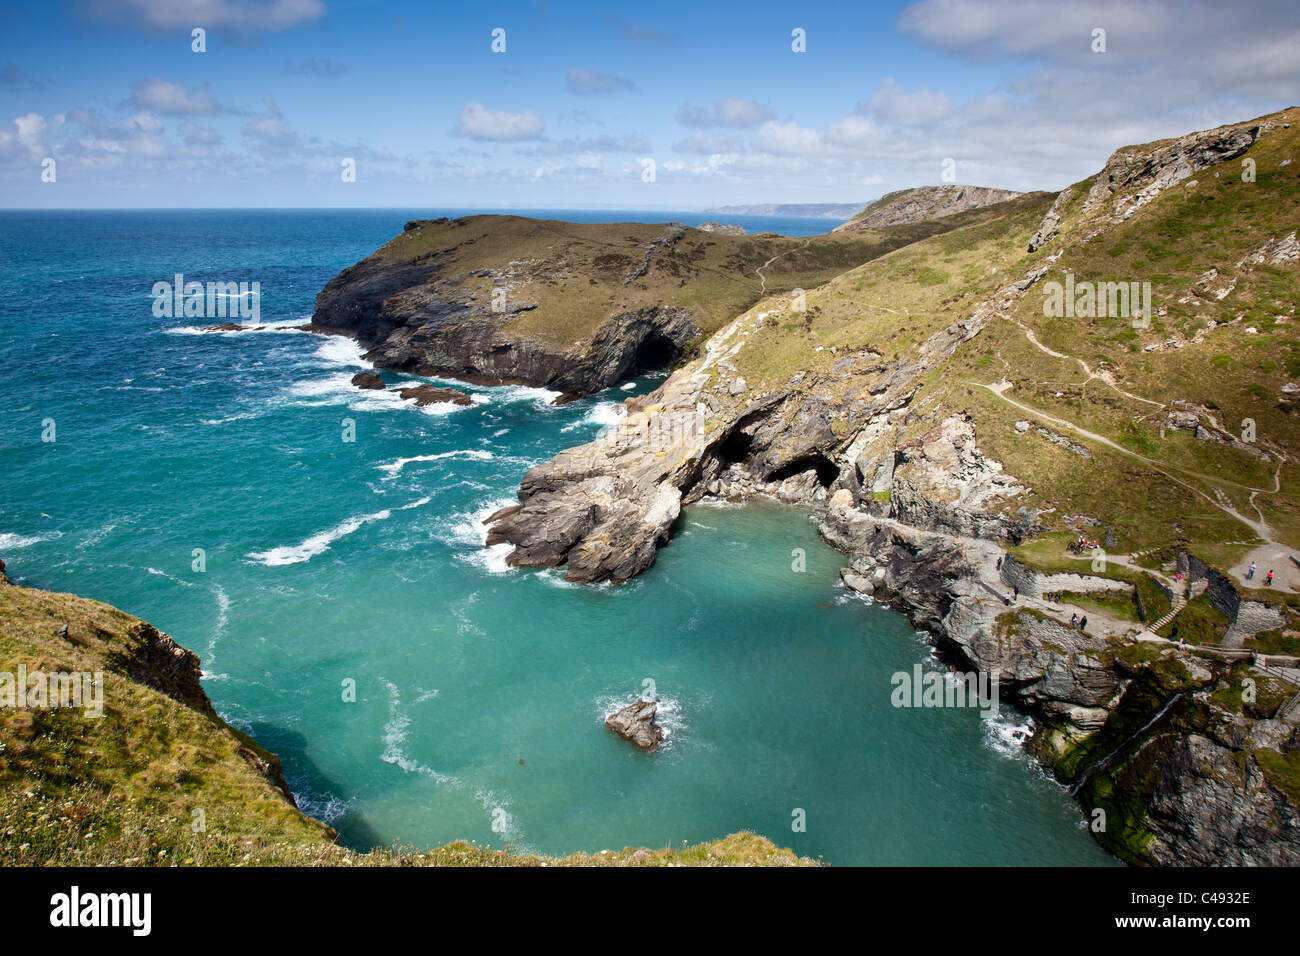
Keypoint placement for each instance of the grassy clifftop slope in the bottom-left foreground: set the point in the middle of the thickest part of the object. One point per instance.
(161, 780)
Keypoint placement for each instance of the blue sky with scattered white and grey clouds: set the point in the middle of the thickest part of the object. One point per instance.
(664, 106)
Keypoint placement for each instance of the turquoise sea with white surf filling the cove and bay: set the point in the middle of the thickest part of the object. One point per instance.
(480, 690)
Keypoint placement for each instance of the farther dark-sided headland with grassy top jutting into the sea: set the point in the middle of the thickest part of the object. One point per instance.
(575, 308)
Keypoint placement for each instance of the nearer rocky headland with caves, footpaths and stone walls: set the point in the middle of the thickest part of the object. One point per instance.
(952, 442)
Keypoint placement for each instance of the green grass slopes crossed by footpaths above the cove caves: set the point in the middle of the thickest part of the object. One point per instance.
(1225, 357)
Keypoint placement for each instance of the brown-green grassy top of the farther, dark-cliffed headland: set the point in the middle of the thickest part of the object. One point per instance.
(577, 275)
